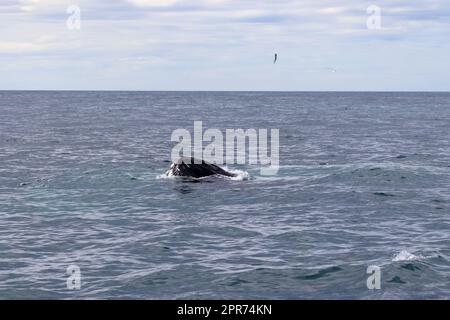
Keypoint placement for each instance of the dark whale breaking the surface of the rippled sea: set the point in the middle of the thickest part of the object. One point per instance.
(187, 167)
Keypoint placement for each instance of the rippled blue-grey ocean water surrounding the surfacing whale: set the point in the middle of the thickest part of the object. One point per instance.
(364, 181)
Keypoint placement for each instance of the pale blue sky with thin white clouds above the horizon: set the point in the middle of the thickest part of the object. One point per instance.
(225, 45)
